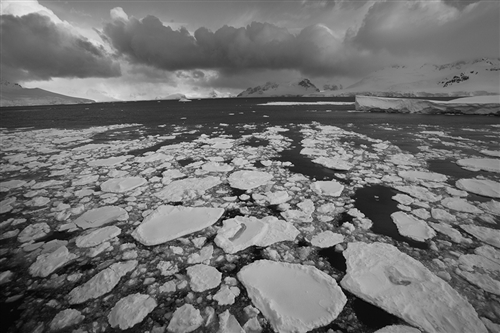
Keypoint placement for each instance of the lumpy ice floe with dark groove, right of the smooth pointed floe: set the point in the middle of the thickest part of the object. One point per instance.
(240, 233)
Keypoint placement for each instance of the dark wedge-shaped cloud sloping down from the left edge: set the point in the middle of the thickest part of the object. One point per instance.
(33, 47)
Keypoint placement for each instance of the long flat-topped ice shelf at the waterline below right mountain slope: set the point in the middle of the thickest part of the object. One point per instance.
(478, 105)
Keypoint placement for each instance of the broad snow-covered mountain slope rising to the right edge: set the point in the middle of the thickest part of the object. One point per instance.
(463, 78)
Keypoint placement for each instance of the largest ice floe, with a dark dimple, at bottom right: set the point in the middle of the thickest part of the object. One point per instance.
(384, 276)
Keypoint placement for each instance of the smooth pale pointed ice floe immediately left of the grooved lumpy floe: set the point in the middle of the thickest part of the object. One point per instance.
(170, 222)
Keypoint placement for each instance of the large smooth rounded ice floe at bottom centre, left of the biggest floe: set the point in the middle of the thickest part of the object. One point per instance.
(293, 298)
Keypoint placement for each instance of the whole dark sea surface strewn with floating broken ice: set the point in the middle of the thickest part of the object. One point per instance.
(249, 218)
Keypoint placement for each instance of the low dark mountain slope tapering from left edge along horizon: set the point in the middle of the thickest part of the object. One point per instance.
(12, 94)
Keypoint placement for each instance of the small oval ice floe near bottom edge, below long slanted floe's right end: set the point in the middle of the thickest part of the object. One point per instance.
(131, 310)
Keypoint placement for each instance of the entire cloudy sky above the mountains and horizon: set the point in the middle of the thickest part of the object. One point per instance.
(135, 50)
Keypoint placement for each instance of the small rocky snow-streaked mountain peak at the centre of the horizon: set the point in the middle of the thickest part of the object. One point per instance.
(292, 89)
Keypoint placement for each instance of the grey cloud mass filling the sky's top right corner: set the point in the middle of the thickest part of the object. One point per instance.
(431, 28)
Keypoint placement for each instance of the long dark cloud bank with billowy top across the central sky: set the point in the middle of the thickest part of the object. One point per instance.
(230, 50)
